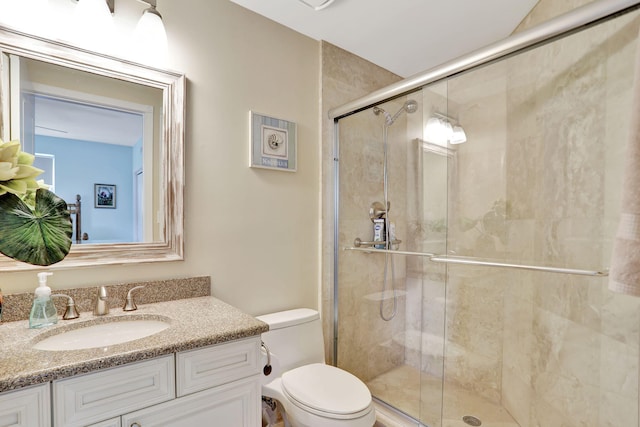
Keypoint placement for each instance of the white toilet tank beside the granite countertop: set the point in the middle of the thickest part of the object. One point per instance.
(294, 337)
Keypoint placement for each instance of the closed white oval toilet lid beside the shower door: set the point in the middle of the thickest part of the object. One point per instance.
(326, 388)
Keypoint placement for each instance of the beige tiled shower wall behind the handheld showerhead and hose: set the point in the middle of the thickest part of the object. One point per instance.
(371, 345)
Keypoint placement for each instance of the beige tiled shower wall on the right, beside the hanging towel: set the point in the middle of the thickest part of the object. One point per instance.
(571, 346)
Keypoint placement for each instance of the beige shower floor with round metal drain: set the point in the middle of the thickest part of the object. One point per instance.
(401, 388)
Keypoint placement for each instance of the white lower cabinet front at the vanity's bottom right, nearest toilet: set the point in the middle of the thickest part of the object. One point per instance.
(235, 404)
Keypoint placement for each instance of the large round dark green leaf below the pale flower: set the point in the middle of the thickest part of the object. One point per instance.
(41, 236)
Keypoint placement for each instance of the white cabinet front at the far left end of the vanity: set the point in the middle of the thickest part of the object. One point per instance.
(29, 407)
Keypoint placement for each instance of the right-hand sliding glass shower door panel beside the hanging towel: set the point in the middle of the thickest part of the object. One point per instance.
(538, 182)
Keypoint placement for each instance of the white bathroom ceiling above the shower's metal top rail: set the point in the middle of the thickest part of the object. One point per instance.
(403, 36)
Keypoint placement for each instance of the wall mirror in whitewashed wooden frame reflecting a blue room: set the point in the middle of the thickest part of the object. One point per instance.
(108, 130)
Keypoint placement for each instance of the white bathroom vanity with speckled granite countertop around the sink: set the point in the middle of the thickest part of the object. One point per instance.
(205, 366)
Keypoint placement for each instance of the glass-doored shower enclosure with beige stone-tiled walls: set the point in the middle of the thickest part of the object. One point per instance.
(485, 300)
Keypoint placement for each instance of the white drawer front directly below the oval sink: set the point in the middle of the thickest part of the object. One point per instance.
(94, 397)
